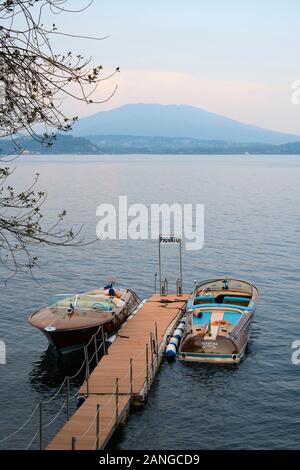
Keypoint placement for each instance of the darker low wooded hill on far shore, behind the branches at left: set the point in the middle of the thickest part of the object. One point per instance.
(63, 144)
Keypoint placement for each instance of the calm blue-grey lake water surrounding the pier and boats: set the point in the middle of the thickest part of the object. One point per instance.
(251, 231)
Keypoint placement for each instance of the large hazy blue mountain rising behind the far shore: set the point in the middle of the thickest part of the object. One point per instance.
(156, 120)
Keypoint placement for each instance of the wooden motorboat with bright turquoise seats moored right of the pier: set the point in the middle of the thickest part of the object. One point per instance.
(218, 321)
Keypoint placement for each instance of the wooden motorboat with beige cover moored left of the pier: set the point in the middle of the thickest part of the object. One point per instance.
(70, 321)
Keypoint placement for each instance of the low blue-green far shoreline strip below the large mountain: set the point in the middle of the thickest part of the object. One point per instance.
(66, 144)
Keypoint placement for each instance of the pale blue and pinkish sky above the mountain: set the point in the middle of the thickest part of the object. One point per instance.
(232, 57)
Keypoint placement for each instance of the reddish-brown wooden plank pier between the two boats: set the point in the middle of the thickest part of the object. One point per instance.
(124, 375)
